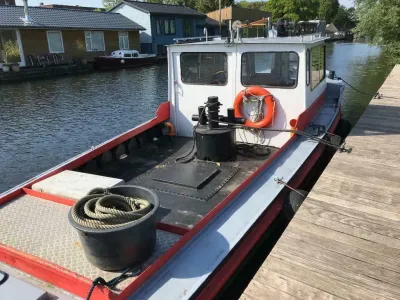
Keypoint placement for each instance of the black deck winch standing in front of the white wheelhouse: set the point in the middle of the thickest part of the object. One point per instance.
(215, 142)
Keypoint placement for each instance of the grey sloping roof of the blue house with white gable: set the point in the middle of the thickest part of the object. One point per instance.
(164, 9)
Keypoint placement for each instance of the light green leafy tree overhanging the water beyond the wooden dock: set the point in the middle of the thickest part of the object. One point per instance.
(378, 22)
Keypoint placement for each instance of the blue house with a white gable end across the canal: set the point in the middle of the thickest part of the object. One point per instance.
(163, 23)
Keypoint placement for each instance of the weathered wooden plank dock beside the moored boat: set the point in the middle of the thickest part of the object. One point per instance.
(344, 242)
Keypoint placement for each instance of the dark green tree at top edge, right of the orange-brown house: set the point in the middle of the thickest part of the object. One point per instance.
(294, 10)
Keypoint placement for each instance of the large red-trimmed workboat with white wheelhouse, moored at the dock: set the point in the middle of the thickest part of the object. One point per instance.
(246, 122)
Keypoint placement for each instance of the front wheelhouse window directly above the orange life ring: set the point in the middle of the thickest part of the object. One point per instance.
(274, 69)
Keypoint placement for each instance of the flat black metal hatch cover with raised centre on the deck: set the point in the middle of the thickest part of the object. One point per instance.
(198, 180)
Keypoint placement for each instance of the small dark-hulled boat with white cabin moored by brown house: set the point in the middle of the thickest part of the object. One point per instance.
(125, 59)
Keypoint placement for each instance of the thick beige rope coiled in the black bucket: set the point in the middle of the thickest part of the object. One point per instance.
(101, 209)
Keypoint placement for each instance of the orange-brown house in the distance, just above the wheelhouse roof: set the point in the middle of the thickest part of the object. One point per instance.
(233, 13)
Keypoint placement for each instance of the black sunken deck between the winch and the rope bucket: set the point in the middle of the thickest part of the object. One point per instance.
(182, 203)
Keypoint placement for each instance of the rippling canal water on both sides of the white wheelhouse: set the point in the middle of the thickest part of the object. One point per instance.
(45, 122)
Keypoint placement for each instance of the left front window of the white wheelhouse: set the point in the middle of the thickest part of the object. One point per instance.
(204, 68)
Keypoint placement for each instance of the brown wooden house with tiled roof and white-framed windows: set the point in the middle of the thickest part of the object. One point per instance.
(68, 33)
